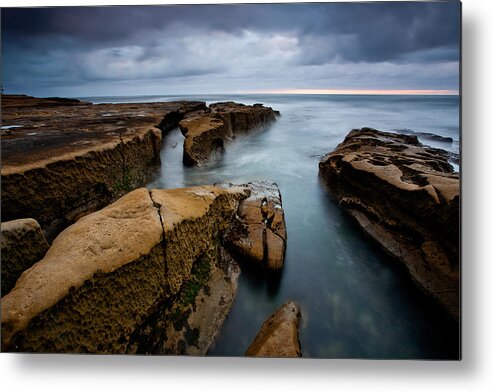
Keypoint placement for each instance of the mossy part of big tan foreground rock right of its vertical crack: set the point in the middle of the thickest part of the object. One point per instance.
(201, 276)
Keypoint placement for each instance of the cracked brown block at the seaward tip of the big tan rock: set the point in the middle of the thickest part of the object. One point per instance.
(258, 234)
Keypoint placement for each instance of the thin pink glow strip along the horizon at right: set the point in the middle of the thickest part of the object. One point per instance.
(355, 92)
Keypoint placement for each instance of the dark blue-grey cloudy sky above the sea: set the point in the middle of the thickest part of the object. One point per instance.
(204, 49)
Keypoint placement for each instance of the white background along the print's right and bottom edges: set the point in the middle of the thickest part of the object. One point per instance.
(473, 373)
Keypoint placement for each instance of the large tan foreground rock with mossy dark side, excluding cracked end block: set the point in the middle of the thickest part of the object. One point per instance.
(111, 282)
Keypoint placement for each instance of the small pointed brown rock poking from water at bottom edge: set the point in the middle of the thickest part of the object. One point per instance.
(279, 335)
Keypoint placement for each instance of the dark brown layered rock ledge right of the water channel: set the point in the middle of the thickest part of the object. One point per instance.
(406, 197)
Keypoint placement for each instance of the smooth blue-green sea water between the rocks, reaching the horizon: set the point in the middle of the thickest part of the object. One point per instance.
(356, 302)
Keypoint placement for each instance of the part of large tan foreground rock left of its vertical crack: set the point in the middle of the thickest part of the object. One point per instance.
(101, 278)
